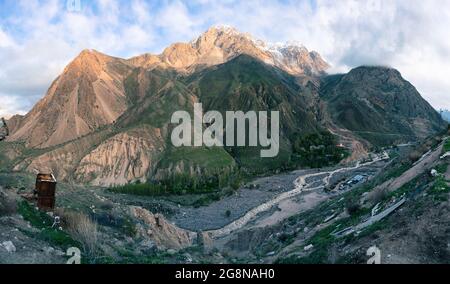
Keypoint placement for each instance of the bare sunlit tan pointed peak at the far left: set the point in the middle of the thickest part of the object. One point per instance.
(87, 95)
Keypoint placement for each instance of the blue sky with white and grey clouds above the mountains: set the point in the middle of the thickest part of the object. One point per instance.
(39, 38)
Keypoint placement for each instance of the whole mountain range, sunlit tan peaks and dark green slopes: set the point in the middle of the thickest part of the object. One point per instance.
(106, 120)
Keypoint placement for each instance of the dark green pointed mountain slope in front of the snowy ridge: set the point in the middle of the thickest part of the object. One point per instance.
(246, 84)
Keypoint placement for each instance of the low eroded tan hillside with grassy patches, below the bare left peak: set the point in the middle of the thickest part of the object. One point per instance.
(102, 158)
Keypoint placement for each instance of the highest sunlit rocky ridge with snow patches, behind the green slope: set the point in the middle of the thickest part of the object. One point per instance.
(221, 44)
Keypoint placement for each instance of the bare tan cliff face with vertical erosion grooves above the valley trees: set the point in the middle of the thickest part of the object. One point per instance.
(124, 158)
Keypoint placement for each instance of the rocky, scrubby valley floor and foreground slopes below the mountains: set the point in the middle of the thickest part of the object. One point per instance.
(290, 218)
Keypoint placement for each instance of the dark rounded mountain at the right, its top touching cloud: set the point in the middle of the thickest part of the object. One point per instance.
(380, 106)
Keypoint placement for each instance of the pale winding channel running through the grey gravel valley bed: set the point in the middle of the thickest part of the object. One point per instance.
(300, 185)
